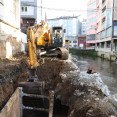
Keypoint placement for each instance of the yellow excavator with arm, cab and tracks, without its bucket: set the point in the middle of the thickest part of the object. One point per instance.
(41, 37)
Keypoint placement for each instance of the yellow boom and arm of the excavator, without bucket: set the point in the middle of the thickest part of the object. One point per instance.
(37, 36)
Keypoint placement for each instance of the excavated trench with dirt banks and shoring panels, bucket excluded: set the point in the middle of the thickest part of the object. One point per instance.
(74, 93)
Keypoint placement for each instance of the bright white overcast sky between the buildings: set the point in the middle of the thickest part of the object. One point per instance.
(78, 7)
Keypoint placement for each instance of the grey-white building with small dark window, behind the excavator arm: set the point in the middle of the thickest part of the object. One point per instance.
(28, 14)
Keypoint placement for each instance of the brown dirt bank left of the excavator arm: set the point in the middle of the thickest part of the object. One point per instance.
(11, 72)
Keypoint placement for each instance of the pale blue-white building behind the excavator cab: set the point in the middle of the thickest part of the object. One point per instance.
(72, 26)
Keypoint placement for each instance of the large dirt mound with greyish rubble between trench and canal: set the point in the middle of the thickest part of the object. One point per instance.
(84, 94)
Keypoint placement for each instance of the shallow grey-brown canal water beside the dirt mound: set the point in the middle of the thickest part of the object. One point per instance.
(106, 69)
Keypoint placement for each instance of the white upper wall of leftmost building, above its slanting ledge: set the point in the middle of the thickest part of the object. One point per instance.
(10, 13)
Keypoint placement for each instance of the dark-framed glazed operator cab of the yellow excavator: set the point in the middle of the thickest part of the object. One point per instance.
(57, 37)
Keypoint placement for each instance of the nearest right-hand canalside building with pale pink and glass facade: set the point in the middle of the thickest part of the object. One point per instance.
(106, 27)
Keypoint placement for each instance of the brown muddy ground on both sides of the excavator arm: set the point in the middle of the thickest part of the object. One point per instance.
(80, 94)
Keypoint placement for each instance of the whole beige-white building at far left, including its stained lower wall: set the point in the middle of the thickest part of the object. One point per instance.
(10, 36)
